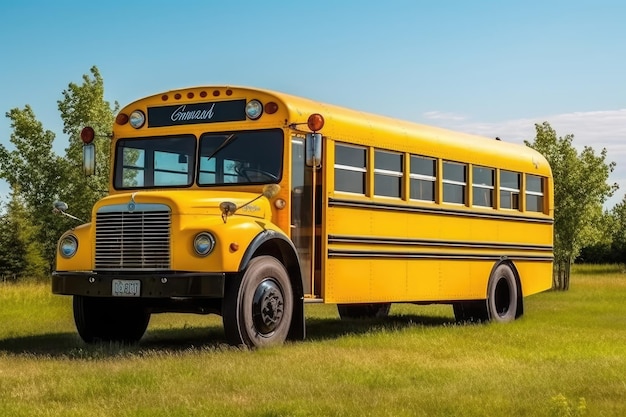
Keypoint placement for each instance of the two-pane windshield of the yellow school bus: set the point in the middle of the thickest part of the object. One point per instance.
(244, 157)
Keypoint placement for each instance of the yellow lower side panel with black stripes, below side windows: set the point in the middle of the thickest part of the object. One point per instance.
(378, 254)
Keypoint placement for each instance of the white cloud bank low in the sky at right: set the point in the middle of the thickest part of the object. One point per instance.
(597, 129)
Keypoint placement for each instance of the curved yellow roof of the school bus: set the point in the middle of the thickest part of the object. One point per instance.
(367, 129)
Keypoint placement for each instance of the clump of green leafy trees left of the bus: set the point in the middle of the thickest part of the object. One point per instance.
(38, 176)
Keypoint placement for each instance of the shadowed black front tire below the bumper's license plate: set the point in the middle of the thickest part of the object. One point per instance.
(107, 320)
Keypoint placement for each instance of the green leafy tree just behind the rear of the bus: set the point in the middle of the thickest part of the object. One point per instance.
(580, 188)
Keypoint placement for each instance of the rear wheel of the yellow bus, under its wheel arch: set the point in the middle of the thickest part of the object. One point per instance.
(503, 296)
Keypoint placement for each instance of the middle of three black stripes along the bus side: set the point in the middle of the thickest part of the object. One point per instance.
(439, 243)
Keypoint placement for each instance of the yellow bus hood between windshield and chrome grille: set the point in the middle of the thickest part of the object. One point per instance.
(189, 202)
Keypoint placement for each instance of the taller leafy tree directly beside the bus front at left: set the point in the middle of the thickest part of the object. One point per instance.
(84, 105)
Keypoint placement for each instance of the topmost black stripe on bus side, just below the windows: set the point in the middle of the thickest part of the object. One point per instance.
(371, 205)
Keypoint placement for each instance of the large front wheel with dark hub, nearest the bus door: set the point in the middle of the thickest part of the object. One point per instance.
(258, 304)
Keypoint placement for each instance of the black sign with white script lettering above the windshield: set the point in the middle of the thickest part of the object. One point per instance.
(186, 114)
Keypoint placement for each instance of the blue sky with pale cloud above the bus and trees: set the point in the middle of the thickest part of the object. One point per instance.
(488, 67)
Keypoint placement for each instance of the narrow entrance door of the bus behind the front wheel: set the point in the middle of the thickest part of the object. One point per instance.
(303, 214)
